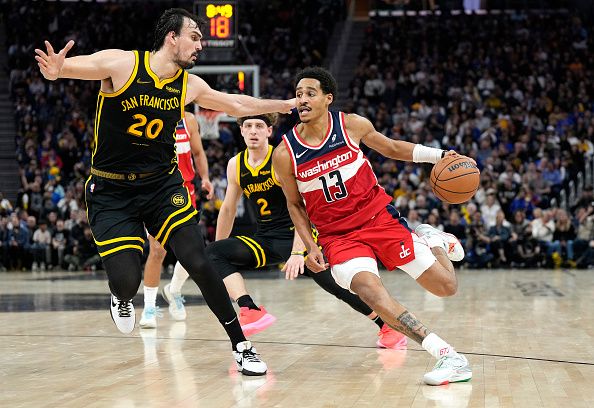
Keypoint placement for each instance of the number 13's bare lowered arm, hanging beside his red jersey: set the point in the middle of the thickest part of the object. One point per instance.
(282, 163)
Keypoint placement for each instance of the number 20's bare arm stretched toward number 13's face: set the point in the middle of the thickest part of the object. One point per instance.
(232, 104)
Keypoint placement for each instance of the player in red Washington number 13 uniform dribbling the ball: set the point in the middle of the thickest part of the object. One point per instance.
(329, 183)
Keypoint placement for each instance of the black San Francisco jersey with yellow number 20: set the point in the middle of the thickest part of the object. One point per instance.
(135, 126)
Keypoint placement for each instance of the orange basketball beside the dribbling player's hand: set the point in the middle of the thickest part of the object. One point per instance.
(455, 179)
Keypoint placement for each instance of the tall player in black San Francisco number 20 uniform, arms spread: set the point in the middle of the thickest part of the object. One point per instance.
(134, 181)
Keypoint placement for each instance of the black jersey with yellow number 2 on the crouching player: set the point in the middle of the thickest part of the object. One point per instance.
(263, 191)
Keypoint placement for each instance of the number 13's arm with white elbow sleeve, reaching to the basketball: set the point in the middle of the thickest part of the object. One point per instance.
(361, 129)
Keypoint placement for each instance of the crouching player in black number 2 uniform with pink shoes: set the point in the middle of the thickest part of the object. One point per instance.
(251, 174)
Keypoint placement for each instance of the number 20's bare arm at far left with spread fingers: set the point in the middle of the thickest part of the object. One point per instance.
(97, 66)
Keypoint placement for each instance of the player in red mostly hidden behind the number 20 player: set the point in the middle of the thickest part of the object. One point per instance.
(187, 143)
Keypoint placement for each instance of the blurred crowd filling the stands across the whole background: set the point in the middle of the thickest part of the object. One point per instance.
(513, 92)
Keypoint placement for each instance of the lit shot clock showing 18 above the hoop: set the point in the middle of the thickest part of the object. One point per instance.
(221, 29)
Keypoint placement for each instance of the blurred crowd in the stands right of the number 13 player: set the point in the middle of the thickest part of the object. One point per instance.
(516, 93)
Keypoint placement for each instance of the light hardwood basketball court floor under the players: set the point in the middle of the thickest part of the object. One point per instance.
(527, 334)
